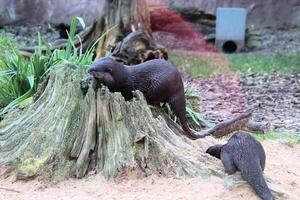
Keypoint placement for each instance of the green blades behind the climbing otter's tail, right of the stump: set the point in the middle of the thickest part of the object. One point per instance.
(193, 113)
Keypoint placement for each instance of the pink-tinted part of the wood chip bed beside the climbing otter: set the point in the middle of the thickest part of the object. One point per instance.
(221, 97)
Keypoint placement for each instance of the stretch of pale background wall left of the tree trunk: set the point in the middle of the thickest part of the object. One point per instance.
(40, 11)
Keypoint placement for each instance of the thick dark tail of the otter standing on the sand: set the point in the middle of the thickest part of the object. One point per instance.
(256, 179)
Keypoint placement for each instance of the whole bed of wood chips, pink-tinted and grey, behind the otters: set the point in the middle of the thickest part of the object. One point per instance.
(273, 99)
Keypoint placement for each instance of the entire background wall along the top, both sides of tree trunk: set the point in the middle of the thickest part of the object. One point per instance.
(275, 13)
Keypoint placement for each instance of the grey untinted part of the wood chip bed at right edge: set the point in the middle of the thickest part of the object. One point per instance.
(274, 98)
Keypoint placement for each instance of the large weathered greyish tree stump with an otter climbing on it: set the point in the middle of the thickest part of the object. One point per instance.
(64, 133)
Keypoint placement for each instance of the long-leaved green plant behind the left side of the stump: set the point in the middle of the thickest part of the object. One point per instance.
(20, 77)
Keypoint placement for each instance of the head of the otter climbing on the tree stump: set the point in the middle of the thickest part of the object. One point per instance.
(108, 72)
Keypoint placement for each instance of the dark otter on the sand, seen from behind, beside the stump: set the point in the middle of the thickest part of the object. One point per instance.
(242, 152)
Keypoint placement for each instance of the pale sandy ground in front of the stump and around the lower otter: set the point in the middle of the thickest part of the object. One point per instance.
(283, 165)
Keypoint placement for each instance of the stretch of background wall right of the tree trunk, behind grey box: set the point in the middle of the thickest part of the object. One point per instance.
(275, 13)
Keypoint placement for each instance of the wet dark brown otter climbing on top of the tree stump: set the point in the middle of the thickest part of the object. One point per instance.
(157, 79)
